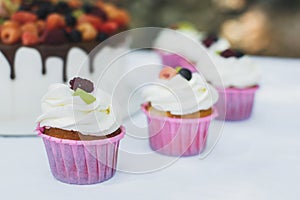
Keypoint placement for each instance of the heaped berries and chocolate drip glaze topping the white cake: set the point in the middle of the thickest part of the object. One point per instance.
(54, 28)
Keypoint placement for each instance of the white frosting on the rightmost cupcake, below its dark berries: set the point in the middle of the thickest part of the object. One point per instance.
(234, 72)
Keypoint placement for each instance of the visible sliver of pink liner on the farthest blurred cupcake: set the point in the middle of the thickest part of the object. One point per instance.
(174, 60)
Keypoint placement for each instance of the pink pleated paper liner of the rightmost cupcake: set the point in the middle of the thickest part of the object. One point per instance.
(235, 104)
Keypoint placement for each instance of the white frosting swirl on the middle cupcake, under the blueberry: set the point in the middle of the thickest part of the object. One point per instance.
(180, 96)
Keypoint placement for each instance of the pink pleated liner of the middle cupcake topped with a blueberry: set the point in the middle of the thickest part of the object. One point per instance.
(176, 136)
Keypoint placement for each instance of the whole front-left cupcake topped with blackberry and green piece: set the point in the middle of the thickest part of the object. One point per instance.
(80, 131)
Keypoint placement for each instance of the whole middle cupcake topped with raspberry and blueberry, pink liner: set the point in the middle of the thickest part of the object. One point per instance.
(179, 109)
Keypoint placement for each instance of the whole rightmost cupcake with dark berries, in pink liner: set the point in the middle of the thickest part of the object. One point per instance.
(239, 82)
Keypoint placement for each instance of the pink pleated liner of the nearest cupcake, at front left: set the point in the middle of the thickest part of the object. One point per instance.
(82, 162)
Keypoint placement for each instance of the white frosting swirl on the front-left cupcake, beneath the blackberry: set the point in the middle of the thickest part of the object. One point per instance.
(63, 110)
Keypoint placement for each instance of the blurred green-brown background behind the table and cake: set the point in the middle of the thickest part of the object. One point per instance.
(258, 27)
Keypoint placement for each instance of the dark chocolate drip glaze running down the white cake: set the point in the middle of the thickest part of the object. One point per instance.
(46, 51)
